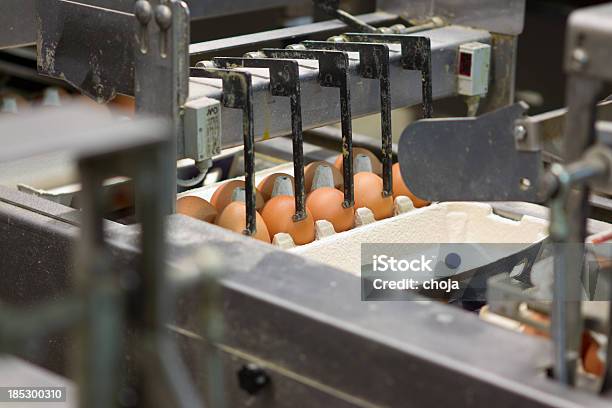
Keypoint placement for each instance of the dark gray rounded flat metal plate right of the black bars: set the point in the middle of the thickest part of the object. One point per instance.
(478, 160)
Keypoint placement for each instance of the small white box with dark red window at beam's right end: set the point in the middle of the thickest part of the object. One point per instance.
(473, 68)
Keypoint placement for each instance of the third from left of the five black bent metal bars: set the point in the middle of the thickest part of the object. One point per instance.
(333, 73)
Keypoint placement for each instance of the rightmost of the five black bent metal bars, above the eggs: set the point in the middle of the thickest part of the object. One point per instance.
(416, 56)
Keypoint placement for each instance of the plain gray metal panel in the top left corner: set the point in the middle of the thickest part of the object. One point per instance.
(17, 23)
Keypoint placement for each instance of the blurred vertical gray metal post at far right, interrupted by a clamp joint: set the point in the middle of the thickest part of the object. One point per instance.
(567, 322)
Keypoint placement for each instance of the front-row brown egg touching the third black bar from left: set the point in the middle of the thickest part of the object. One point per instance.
(325, 203)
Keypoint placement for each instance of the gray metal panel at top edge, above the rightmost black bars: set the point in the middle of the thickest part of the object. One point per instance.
(498, 16)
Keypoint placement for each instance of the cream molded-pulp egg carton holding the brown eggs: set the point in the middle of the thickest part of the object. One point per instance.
(449, 222)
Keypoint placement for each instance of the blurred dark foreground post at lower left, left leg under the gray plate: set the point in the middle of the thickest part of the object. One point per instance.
(97, 336)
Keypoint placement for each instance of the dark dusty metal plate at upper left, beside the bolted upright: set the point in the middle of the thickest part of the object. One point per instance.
(81, 44)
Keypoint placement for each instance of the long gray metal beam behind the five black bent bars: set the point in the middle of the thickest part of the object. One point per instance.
(321, 106)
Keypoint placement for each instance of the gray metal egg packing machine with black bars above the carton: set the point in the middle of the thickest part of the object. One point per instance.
(279, 309)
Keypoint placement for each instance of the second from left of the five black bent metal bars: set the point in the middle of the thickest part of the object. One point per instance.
(284, 81)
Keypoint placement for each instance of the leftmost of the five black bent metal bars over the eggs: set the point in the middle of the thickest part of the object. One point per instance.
(238, 94)
